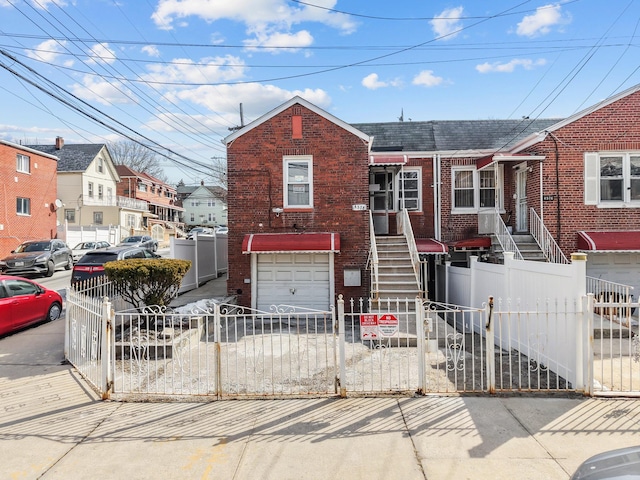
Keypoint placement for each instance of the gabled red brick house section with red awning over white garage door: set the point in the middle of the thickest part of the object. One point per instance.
(297, 198)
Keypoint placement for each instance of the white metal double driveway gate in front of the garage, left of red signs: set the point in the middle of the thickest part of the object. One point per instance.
(225, 351)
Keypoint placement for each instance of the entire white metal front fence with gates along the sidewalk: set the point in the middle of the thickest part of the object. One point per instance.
(364, 347)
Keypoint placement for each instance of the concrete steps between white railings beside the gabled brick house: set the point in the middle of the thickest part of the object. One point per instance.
(396, 278)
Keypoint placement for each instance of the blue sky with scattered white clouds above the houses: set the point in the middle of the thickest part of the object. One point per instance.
(173, 73)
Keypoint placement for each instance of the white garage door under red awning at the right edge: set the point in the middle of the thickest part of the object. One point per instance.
(621, 267)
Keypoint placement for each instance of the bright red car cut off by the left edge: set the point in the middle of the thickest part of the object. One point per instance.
(24, 302)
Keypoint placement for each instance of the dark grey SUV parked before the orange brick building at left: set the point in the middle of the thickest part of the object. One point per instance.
(41, 257)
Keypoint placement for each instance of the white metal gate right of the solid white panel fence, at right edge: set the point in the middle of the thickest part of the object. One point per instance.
(614, 349)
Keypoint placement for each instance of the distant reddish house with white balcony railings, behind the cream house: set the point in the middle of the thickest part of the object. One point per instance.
(158, 195)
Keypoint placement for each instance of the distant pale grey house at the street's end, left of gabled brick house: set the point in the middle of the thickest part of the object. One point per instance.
(203, 205)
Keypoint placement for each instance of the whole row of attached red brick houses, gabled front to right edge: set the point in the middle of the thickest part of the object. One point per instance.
(299, 170)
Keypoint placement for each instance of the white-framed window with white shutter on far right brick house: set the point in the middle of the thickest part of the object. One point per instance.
(612, 179)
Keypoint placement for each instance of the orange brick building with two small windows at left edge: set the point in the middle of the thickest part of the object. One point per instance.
(29, 195)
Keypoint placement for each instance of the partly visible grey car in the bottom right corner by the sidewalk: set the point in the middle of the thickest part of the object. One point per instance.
(623, 463)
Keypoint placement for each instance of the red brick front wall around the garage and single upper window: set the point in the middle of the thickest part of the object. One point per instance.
(340, 180)
